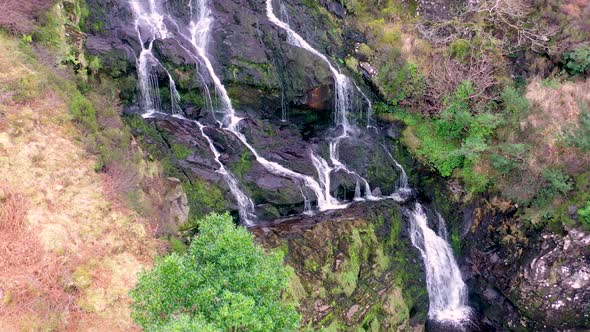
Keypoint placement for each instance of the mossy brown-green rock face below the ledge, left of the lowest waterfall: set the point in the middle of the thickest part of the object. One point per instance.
(354, 268)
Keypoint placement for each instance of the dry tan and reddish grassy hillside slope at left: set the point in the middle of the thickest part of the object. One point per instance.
(69, 249)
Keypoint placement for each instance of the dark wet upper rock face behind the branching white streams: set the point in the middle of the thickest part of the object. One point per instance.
(264, 75)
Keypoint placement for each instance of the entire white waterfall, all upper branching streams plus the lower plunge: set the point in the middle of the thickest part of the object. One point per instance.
(447, 292)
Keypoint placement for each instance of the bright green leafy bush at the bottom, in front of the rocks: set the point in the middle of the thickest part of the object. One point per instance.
(225, 282)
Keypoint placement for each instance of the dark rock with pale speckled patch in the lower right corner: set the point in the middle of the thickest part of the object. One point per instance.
(543, 275)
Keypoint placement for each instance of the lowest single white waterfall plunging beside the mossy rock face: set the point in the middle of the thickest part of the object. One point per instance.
(447, 292)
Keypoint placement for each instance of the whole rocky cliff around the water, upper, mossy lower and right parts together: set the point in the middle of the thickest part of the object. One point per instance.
(356, 268)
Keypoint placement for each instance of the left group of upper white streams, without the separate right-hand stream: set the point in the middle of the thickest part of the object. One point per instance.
(199, 30)
